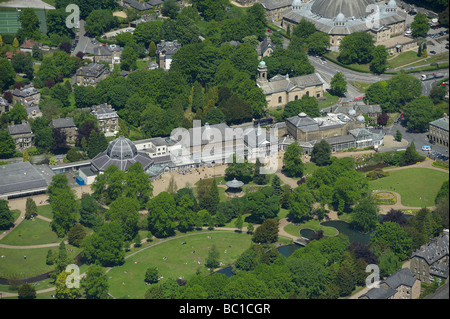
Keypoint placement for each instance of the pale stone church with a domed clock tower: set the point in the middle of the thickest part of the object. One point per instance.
(282, 89)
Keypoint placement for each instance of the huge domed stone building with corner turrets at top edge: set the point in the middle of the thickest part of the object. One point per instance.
(343, 17)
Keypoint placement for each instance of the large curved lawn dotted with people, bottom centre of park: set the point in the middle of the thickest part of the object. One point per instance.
(127, 280)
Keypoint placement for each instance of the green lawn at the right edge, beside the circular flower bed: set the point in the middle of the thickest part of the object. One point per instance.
(416, 185)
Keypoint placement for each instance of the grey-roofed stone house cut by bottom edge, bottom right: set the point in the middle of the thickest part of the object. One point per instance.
(400, 285)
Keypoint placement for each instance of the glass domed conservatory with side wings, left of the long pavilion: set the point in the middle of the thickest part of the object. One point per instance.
(122, 153)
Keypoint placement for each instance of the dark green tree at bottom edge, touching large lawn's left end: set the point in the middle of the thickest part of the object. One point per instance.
(95, 283)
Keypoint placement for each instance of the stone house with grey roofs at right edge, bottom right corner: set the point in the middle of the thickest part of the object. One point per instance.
(430, 262)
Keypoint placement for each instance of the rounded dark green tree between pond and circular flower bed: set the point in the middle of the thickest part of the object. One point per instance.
(365, 215)
